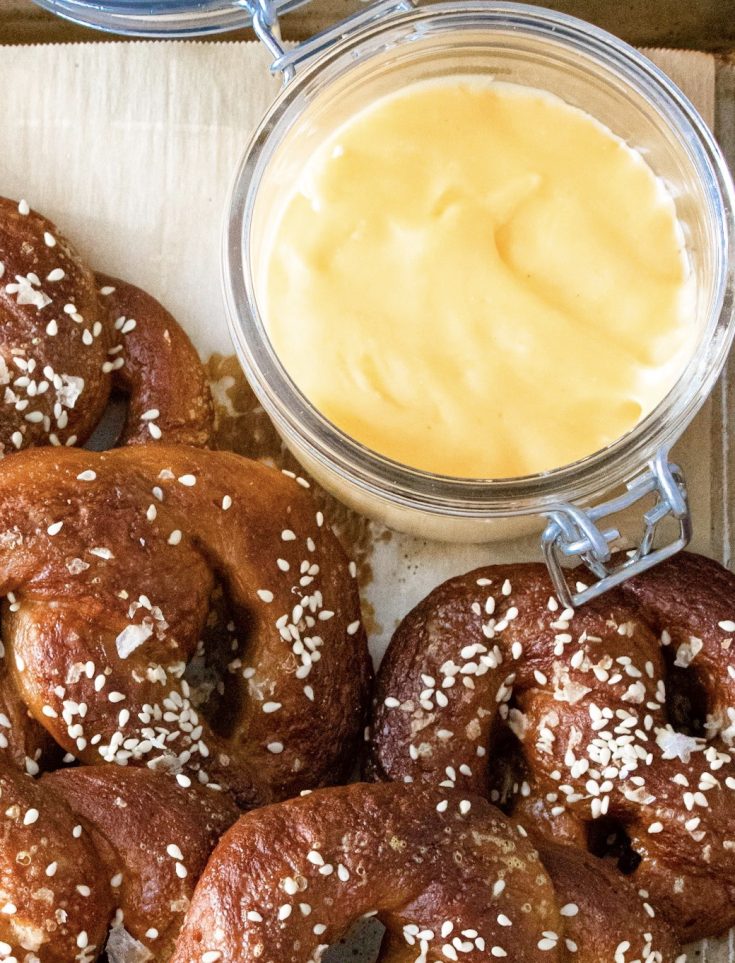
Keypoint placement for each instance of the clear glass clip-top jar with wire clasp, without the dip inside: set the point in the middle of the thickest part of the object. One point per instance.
(378, 50)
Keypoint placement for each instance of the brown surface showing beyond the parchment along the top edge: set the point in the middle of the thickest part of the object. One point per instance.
(700, 24)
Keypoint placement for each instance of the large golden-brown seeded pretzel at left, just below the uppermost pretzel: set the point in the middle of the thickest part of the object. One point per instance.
(109, 562)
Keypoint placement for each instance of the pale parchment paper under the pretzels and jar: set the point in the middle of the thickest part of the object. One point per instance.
(132, 148)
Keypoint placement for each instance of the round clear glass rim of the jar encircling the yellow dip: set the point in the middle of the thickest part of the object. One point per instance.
(380, 476)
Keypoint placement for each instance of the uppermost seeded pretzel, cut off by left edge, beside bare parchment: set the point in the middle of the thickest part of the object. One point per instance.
(68, 336)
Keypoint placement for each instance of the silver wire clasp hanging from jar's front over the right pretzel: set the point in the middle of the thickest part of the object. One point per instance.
(573, 533)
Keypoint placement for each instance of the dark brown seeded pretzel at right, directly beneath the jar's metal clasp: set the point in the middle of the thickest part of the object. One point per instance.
(563, 717)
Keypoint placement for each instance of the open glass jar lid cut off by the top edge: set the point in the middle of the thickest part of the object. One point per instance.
(160, 18)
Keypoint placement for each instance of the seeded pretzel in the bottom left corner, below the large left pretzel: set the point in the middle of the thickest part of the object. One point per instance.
(85, 847)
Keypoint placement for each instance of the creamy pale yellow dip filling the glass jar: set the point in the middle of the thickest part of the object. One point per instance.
(477, 279)
